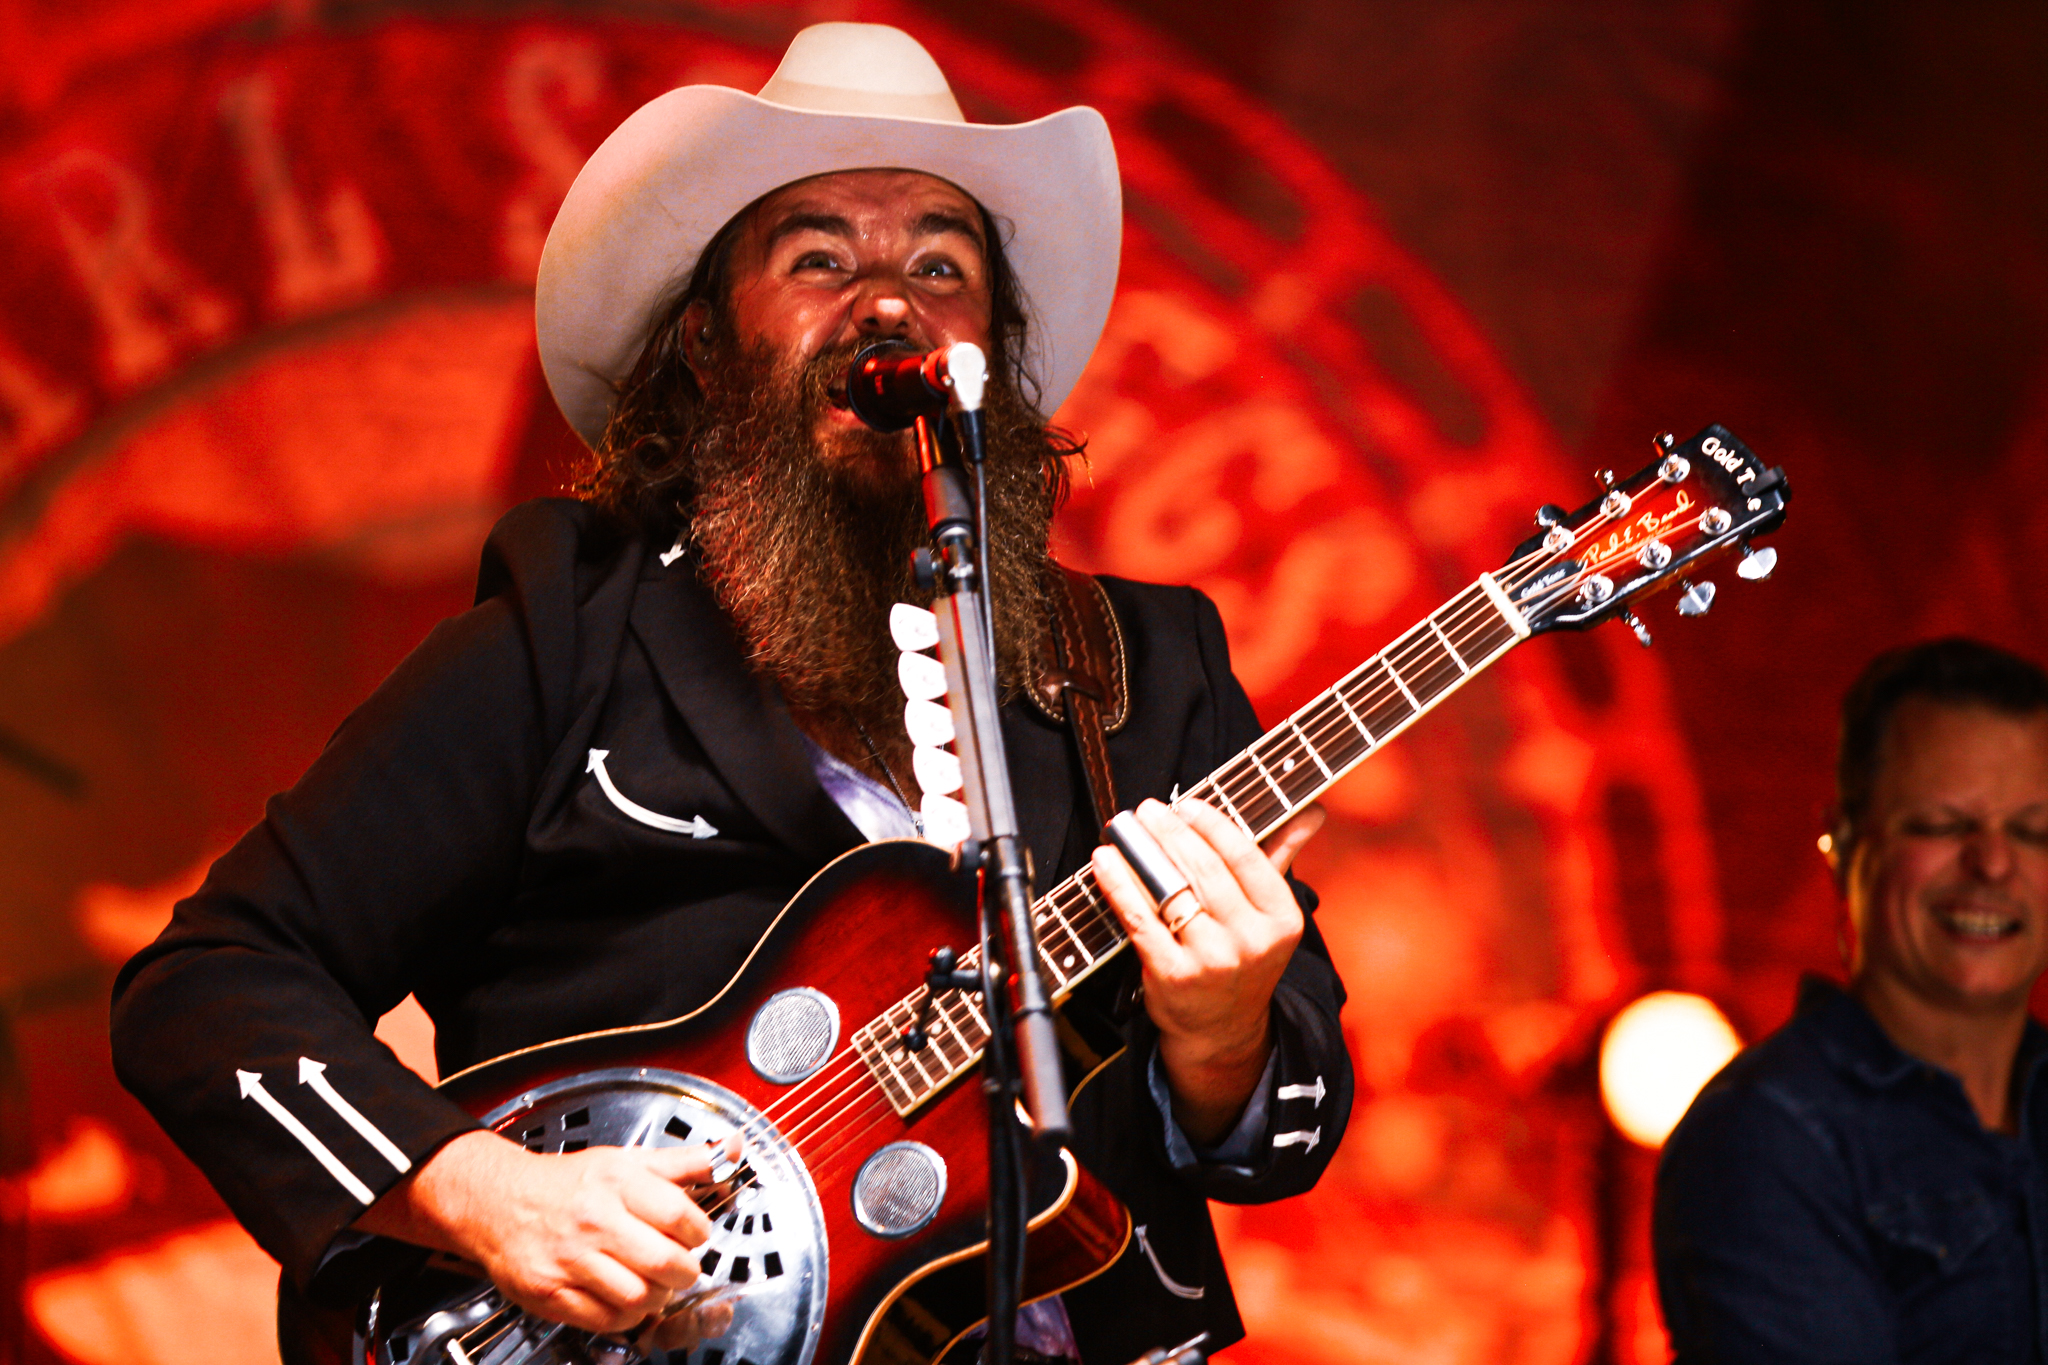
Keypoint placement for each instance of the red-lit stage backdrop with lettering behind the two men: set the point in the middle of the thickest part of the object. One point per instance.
(267, 378)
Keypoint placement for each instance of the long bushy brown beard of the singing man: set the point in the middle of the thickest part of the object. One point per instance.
(810, 556)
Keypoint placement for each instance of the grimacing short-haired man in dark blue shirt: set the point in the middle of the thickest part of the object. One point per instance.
(1871, 1184)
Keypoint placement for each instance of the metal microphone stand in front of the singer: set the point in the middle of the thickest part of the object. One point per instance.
(1013, 989)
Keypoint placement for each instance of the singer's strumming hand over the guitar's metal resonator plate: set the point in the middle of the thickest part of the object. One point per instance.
(599, 1239)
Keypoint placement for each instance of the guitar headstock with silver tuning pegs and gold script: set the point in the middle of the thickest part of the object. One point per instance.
(1656, 529)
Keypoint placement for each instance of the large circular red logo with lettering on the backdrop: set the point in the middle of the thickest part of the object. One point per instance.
(267, 373)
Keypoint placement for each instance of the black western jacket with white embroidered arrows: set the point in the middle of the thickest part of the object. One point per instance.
(454, 842)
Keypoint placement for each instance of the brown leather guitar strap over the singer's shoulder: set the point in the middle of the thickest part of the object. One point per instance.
(1084, 680)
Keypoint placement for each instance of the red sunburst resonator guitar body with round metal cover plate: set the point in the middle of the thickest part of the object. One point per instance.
(853, 1233)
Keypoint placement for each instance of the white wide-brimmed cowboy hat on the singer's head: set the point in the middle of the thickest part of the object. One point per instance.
(847, 97)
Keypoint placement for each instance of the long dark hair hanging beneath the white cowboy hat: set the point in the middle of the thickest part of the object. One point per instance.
(642, 466)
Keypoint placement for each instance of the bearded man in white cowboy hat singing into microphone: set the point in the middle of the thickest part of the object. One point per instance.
(581, 805)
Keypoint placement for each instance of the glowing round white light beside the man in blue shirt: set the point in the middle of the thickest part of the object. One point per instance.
(1656, 1057)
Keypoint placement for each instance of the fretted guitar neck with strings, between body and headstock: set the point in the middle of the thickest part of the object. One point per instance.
(1258, 789)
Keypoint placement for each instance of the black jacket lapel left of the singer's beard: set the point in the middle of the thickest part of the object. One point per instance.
(738, 719)
